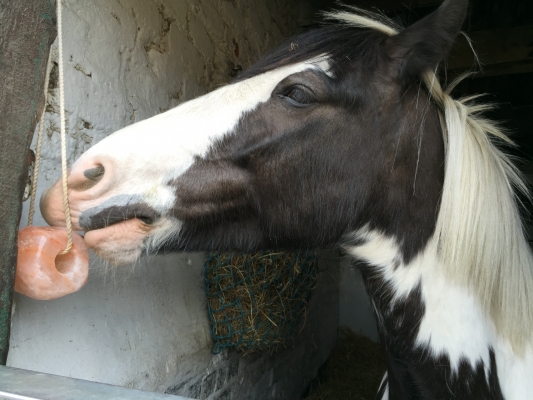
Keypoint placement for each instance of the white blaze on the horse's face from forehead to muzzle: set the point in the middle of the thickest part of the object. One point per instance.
(143, 157)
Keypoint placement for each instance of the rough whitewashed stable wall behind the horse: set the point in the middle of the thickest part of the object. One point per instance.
(145, 326)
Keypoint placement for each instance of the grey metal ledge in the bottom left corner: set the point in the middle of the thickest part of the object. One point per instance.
(19, 384)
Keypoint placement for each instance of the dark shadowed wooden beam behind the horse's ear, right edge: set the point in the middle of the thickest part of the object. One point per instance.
(501, 51)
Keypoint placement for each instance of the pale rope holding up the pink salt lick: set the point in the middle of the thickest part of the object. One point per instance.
(66, 206)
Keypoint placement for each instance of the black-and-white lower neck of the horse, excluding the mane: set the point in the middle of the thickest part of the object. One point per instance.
(424, 320)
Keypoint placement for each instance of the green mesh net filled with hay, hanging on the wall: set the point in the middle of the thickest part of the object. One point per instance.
(255, 301)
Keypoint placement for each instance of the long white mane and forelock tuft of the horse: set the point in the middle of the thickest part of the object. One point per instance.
(480, 237)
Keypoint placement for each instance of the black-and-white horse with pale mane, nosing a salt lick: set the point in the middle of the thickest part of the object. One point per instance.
(342, 136)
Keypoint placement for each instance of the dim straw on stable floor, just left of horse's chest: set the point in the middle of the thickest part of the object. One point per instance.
(353, 371)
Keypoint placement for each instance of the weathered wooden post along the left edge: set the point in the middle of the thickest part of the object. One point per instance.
(27, 30)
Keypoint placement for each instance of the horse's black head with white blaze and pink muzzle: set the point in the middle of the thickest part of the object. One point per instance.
(330, 132)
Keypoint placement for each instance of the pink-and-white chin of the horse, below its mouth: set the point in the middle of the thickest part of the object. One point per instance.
(120, 243)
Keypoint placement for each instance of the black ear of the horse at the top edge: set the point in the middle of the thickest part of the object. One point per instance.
(424, 44)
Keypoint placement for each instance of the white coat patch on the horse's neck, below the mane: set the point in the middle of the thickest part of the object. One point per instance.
(453, 316)
